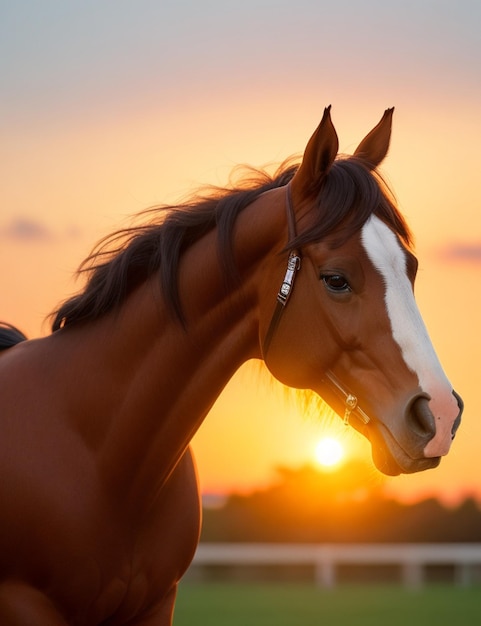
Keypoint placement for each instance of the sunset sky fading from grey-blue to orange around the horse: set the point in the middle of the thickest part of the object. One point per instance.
(110, 107)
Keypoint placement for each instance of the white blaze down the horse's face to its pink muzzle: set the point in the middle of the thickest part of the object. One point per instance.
(409, 331)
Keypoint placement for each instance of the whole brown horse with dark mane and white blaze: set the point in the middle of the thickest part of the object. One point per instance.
(310, 269)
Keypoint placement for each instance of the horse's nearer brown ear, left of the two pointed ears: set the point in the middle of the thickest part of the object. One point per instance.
(317, 160)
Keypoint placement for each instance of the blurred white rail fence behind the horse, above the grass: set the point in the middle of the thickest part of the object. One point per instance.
(325, 559)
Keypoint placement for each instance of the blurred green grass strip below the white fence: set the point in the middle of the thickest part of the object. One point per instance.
(232, 604)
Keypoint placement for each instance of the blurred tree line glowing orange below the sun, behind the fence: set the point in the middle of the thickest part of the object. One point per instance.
(346, 505)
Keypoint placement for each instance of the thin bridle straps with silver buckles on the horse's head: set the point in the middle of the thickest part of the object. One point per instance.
(346, 399)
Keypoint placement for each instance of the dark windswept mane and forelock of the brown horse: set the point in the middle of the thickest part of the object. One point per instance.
(120, 262)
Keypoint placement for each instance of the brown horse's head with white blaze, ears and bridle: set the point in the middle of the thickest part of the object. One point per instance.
(352, 331)
